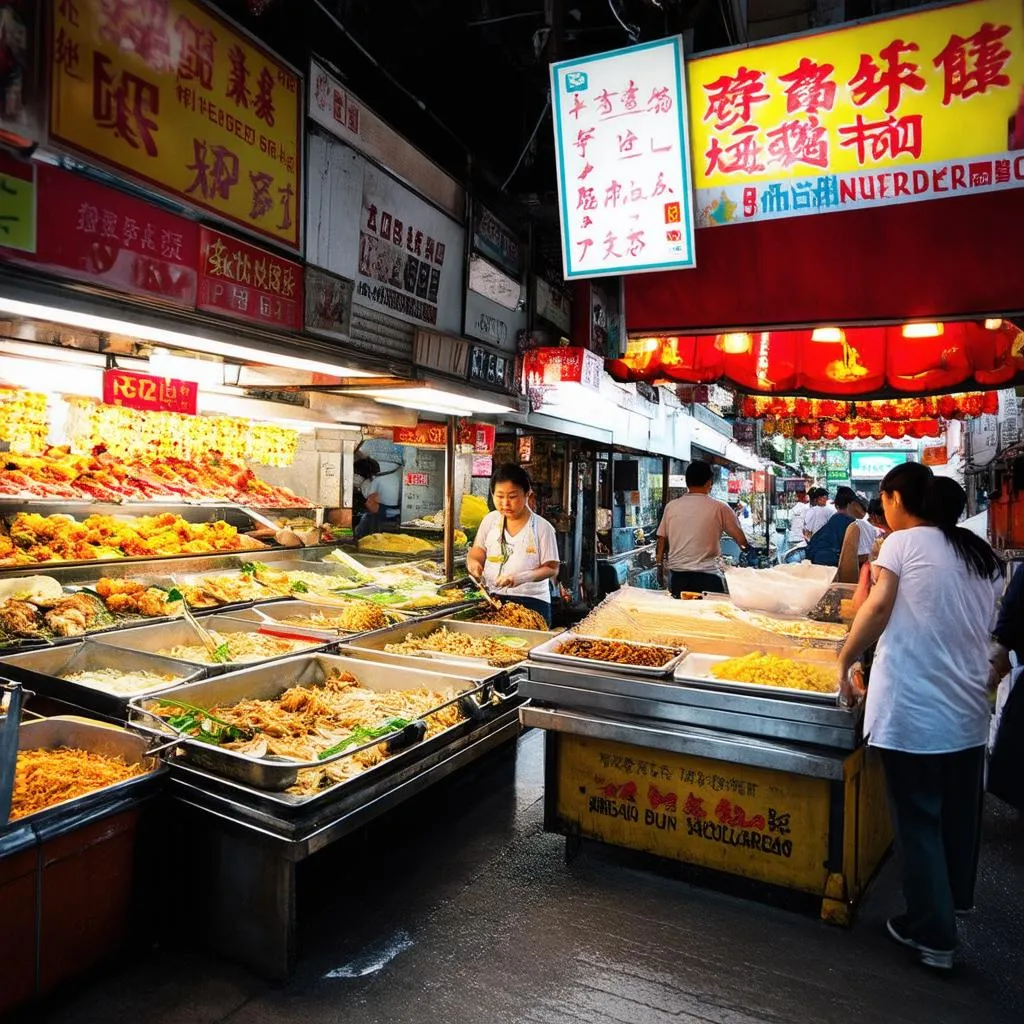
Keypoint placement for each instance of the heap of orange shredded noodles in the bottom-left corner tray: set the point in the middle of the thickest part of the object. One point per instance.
(44, 779)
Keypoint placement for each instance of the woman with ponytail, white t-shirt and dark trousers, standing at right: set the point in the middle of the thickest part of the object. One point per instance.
(927, 705)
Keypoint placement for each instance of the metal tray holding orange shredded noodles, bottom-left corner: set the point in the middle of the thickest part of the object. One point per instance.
(50, 734)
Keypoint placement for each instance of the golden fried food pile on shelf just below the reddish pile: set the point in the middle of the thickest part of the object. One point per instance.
(34, 538)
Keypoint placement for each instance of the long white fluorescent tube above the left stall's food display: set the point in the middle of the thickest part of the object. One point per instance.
(177, 339)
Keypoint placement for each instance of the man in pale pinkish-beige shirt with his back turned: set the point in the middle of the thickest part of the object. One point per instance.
(691, 534)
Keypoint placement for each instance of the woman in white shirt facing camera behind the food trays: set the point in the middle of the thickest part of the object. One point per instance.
(516, 551)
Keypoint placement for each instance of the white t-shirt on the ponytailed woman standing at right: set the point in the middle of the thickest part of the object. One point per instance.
(928, 686)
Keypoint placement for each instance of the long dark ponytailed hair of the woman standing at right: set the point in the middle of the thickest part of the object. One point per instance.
(942, 501)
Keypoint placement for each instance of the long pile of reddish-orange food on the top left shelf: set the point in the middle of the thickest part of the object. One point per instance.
(59, 475)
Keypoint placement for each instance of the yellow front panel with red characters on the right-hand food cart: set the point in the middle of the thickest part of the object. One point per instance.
(756, 823)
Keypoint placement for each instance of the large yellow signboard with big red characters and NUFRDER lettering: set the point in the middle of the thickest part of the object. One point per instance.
(915, 107)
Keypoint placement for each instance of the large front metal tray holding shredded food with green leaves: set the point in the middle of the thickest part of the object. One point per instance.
(268, 684)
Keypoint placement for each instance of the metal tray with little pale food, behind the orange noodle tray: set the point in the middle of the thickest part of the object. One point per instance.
(41, 671)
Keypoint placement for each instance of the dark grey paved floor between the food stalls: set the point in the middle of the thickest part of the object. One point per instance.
(462, 910)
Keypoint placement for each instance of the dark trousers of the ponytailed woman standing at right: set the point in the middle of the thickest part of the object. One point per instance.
(936, 805)
